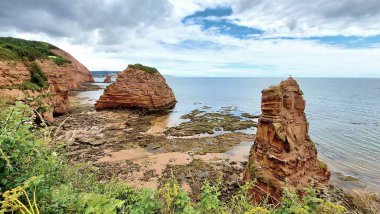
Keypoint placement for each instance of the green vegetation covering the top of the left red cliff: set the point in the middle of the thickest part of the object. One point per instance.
(25, 50)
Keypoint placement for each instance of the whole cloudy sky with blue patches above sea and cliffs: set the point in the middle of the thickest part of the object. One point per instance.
(334, 38)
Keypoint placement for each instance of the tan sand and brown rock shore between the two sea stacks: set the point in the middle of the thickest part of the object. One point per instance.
(118, 144)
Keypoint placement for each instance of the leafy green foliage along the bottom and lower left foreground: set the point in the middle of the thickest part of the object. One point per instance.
(33, 179)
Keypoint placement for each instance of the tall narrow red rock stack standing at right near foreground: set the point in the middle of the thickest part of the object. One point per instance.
(283, 154)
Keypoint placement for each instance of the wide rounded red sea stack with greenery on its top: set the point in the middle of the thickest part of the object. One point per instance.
(137, 87)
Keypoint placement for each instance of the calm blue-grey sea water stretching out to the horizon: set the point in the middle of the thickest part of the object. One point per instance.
(343, 114)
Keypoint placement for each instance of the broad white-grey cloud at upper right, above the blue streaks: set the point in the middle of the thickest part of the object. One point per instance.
(310, 18)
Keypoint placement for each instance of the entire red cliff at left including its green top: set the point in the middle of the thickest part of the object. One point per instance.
(39, 74)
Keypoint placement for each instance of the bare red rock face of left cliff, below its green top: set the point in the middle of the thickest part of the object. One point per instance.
(54, 98)
